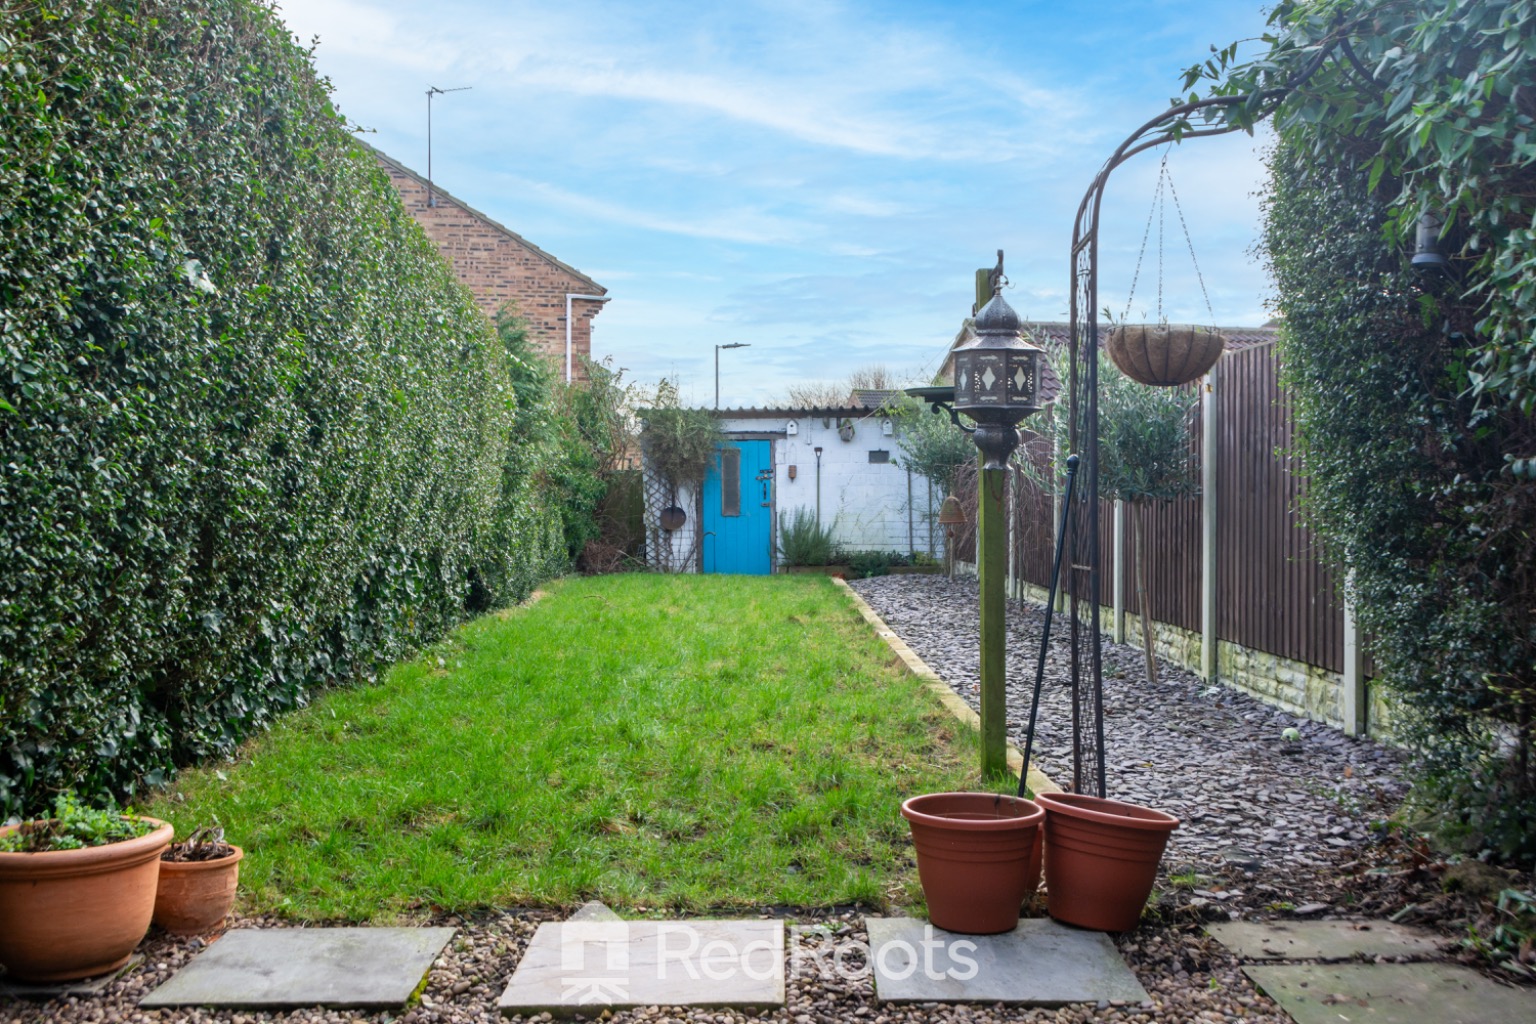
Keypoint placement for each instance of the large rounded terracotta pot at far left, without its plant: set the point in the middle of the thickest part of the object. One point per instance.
(74, 914)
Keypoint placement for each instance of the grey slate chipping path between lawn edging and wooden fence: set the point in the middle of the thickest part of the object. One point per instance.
(1285, 814)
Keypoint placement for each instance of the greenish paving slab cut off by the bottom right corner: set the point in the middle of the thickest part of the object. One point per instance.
(1392, 994)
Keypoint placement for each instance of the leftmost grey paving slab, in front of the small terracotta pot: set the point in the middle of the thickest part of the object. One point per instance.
(294, 968)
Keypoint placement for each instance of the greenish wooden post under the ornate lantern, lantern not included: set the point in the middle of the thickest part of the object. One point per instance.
(993, 569)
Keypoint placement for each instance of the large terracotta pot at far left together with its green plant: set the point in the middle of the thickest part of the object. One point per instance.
(78, 891)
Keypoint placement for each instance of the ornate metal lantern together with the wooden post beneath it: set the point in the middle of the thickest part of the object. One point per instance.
(998, 385)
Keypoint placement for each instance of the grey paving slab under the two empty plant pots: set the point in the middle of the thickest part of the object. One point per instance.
(1039, 963)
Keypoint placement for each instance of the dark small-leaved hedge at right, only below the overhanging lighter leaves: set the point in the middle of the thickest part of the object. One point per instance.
(1408, 489)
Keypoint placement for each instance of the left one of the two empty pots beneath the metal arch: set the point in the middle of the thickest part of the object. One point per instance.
(978, 856)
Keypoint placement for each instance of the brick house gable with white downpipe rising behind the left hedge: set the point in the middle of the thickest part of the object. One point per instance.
(500, 266)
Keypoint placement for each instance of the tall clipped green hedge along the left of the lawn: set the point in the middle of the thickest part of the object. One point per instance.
(254, 438)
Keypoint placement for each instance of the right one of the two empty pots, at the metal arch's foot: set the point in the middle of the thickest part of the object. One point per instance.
(1102, 859)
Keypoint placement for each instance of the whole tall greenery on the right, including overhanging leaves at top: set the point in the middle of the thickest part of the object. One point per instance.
(1415, 397)
